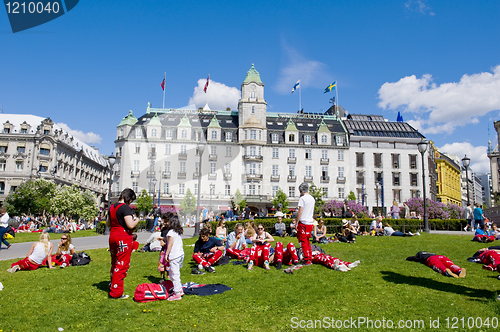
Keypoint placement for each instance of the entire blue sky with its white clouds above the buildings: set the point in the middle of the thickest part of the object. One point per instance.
(436, 62)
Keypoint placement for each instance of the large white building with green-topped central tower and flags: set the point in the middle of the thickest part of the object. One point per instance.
(257, 152)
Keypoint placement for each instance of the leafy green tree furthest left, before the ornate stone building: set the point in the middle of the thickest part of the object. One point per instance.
(32, 197)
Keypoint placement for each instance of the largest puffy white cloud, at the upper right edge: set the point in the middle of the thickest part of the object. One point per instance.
(448, 105)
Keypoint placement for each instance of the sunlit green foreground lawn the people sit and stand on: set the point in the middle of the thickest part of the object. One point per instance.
(385, 285)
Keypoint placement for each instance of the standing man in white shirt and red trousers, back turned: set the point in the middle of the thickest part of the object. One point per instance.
(305, 221)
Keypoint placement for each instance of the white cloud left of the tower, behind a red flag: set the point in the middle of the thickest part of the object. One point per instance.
(219, 96)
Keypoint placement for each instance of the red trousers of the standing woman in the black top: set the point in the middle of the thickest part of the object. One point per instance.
(120, 247)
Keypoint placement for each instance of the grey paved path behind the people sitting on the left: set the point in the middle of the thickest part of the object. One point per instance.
(19, 250)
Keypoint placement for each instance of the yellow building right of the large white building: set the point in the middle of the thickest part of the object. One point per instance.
(448, 179)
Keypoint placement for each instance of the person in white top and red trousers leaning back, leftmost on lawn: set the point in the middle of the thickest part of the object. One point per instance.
(39, 252)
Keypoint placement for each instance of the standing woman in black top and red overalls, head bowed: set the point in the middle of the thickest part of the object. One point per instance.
(121, 220)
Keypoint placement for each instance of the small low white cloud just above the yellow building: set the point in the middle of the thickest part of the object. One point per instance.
(479, 161)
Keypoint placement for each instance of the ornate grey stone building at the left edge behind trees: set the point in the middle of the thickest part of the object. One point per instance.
(34, 147)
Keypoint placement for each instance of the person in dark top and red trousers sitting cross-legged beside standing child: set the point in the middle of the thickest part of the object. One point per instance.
(207, 251)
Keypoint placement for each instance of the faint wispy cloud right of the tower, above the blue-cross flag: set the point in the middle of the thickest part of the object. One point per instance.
(311, 73)
